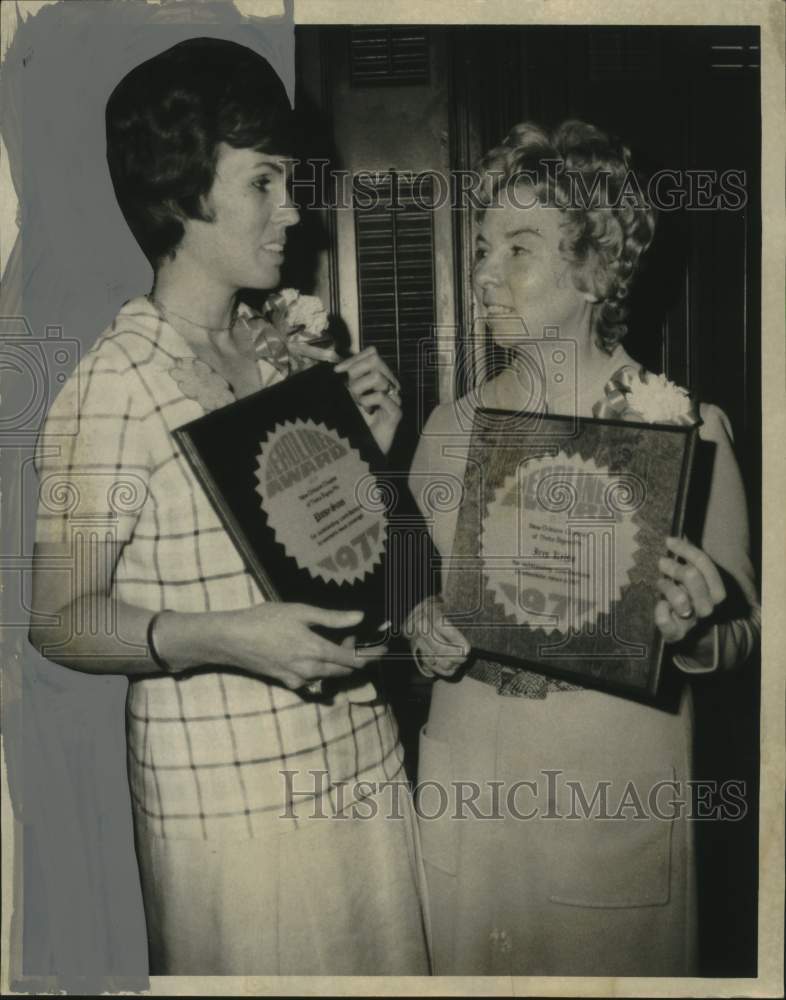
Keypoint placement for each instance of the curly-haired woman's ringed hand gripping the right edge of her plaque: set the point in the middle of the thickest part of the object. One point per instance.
(691, 587)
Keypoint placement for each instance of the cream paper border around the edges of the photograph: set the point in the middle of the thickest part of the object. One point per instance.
(770, 16)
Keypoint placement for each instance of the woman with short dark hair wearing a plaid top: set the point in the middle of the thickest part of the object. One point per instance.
(229, 758)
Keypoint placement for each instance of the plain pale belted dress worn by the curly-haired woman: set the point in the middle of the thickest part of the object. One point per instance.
(549, 886)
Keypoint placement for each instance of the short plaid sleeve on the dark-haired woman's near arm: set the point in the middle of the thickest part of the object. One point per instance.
(91, 458)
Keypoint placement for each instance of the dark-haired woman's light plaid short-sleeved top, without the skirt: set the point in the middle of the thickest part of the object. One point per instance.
(205, 750)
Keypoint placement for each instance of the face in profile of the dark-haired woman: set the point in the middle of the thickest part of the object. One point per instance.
(250, 209)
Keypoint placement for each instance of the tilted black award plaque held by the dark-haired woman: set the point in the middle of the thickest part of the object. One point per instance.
(300, 484)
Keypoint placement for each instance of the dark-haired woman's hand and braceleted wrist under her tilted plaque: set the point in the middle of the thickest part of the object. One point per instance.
(277, 640)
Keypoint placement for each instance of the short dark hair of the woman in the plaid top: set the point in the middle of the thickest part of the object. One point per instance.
(164, 121)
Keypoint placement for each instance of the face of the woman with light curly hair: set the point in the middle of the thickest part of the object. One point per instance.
(519, 273)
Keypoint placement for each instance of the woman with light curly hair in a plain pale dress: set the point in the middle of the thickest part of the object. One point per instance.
(530, 882)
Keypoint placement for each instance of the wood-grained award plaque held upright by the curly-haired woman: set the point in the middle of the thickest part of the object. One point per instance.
(555, 556)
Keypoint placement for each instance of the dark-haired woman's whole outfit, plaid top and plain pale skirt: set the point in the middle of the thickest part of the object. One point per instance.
(217, 757)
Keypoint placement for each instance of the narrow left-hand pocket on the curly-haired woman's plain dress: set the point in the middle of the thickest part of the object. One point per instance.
(435, 805)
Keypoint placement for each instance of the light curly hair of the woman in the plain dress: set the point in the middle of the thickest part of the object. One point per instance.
(608, 222)
